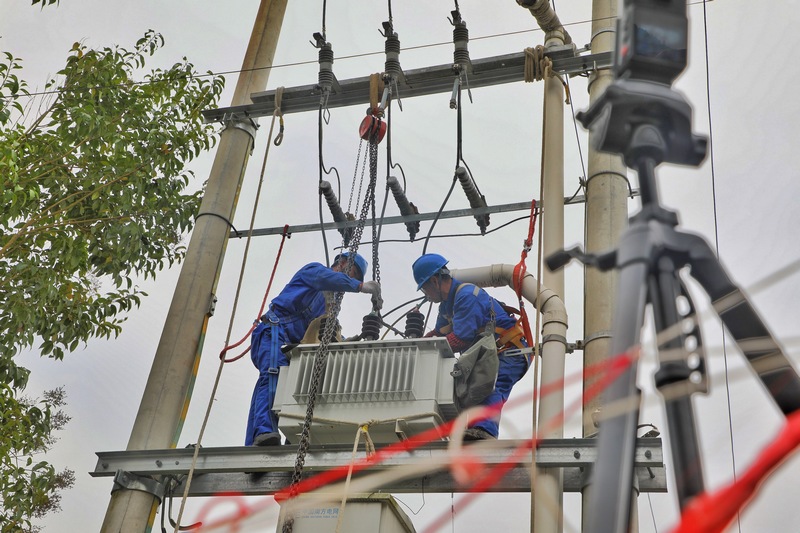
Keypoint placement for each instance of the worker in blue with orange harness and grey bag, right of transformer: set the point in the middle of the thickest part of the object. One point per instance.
(464, 312)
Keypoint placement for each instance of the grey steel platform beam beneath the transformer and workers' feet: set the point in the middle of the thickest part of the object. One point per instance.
(269, 469)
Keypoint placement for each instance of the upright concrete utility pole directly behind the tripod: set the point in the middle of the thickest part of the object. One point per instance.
(606, 219)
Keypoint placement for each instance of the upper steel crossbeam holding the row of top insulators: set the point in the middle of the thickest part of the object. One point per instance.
(486, 72)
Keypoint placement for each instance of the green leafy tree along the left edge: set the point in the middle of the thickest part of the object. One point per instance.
(95, 194)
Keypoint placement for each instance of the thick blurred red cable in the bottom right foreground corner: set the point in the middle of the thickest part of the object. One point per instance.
(715, 511)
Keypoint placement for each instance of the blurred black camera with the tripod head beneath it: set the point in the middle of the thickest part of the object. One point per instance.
(640, 115)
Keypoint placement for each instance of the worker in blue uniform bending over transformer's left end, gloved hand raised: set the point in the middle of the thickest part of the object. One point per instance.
(290, 313)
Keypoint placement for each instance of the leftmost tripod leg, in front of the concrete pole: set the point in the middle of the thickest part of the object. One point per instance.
(612, 479)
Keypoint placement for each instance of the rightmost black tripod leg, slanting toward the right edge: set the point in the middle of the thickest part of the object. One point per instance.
(762, 351)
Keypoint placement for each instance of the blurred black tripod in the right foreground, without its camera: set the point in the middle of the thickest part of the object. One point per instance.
(649, 123)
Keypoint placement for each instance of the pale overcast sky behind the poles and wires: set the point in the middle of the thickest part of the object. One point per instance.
(741, 199)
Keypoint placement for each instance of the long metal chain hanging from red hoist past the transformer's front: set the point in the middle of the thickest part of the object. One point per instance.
(331, 324)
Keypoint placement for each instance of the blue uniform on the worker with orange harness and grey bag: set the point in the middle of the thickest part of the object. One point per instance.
(468, 311)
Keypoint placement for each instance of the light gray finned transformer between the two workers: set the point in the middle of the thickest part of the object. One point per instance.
(398, 388)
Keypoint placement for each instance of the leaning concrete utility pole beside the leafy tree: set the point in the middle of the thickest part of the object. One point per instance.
(135, 499)
